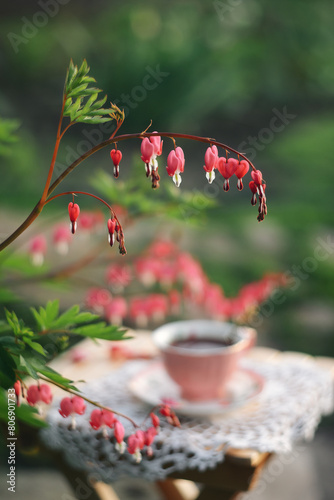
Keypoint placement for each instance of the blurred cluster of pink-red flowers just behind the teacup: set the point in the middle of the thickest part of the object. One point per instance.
(184, 288)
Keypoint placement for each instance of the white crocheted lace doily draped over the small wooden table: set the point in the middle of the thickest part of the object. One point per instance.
(295, 396)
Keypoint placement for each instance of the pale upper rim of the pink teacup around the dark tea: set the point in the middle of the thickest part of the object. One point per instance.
(174, 330)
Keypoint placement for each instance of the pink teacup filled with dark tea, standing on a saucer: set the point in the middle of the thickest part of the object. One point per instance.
(202, 355)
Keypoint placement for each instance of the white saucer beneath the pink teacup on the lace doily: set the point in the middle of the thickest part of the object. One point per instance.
(154, 386)
